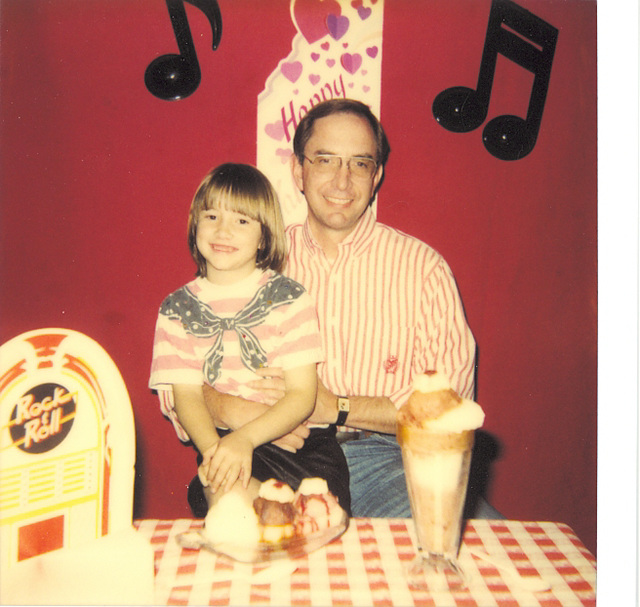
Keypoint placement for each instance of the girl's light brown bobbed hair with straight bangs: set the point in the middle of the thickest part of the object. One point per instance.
(244, 189)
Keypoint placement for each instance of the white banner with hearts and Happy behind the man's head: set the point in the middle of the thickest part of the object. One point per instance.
(336, 52)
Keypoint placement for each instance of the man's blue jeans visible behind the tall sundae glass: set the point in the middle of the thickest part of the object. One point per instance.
(377, 484)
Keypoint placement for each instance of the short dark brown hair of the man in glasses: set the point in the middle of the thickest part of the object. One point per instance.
(304, 131)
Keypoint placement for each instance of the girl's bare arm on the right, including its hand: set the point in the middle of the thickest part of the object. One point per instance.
(281, 418)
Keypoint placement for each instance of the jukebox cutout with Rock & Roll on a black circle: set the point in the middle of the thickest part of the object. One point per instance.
(67, 456)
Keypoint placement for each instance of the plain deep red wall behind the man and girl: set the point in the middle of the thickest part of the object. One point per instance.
(97, 176)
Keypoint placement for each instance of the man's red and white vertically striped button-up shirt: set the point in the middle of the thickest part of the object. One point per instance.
(389, 310)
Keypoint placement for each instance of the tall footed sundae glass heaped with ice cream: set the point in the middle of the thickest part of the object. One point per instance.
(436, 431)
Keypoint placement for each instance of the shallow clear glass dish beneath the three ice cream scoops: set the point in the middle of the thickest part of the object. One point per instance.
(291, 548)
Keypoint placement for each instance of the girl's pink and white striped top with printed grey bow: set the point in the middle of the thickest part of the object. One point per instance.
(183, 342)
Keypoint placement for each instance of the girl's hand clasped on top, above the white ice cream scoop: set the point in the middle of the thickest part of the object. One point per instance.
(230, 461)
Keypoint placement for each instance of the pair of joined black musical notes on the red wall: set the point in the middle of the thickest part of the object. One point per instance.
(529, 42)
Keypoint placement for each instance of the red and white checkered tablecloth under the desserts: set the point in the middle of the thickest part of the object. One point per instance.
(368, 566)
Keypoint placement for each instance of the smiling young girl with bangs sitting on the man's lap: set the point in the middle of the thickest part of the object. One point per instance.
(238, 315)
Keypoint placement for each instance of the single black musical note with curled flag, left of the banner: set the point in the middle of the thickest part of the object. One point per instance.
(172, 77)
